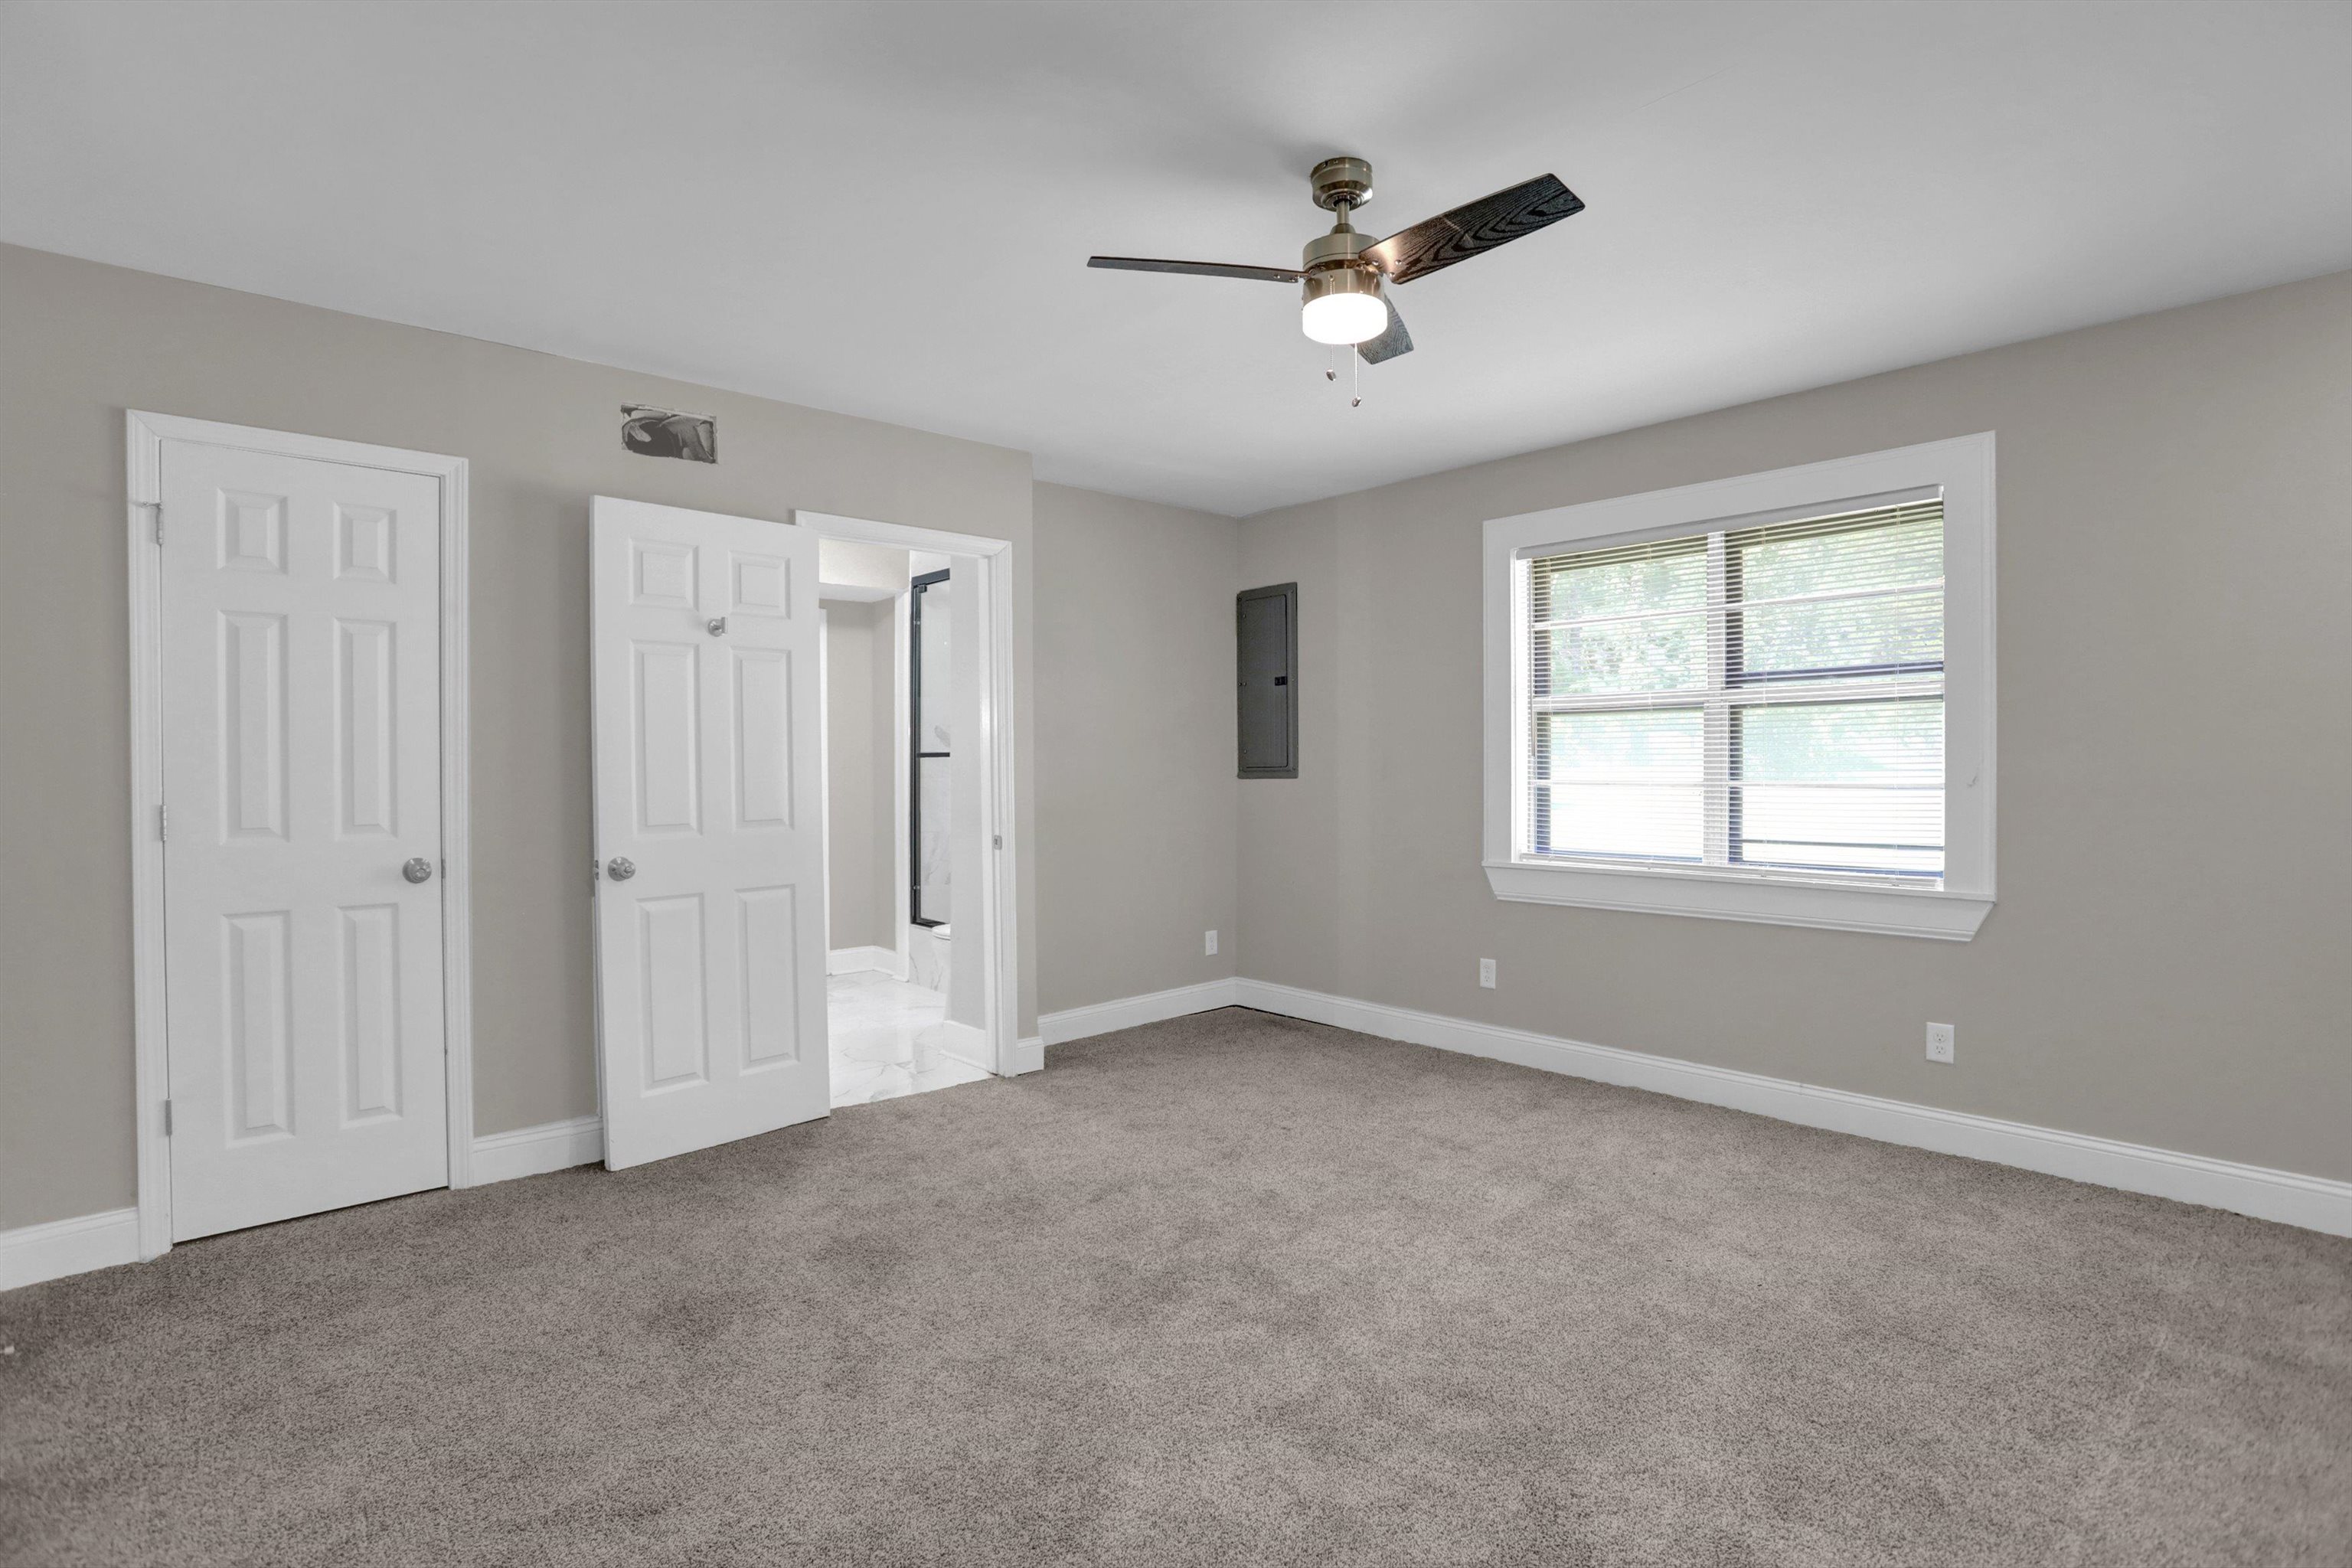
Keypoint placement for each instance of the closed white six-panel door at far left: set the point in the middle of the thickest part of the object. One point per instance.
(302, 777)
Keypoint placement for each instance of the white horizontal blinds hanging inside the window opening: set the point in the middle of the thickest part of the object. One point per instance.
(1756, 699)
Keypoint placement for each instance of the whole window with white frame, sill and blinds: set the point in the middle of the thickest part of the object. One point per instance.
(1760, 699)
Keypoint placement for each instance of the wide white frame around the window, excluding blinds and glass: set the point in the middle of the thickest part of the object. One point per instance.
(1958, 471)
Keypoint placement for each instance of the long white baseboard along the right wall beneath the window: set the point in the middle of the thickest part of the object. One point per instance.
(2287, 1198)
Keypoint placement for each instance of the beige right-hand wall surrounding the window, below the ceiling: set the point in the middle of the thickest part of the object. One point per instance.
(2170, 956)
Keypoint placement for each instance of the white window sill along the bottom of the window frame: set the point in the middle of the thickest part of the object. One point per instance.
(1883, 911)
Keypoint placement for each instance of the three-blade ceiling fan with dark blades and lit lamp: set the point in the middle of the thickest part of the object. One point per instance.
(1344, 274)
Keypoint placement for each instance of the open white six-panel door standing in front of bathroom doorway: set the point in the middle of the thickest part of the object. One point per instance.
(709, 829)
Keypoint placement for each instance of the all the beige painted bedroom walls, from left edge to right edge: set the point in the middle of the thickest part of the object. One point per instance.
(2165, 963)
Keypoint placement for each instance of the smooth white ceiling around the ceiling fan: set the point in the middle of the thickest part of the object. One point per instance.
(888, 208)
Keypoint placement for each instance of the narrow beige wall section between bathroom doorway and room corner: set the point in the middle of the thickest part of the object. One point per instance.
(1135, 699)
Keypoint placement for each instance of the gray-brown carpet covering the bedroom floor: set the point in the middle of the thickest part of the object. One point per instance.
(1217, 1292)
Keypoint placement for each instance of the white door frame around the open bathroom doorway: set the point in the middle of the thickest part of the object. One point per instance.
(1001, 880)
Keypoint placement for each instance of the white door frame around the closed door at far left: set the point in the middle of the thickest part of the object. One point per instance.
(145, 438)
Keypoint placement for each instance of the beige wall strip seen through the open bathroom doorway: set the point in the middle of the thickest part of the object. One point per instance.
(862, 815)
